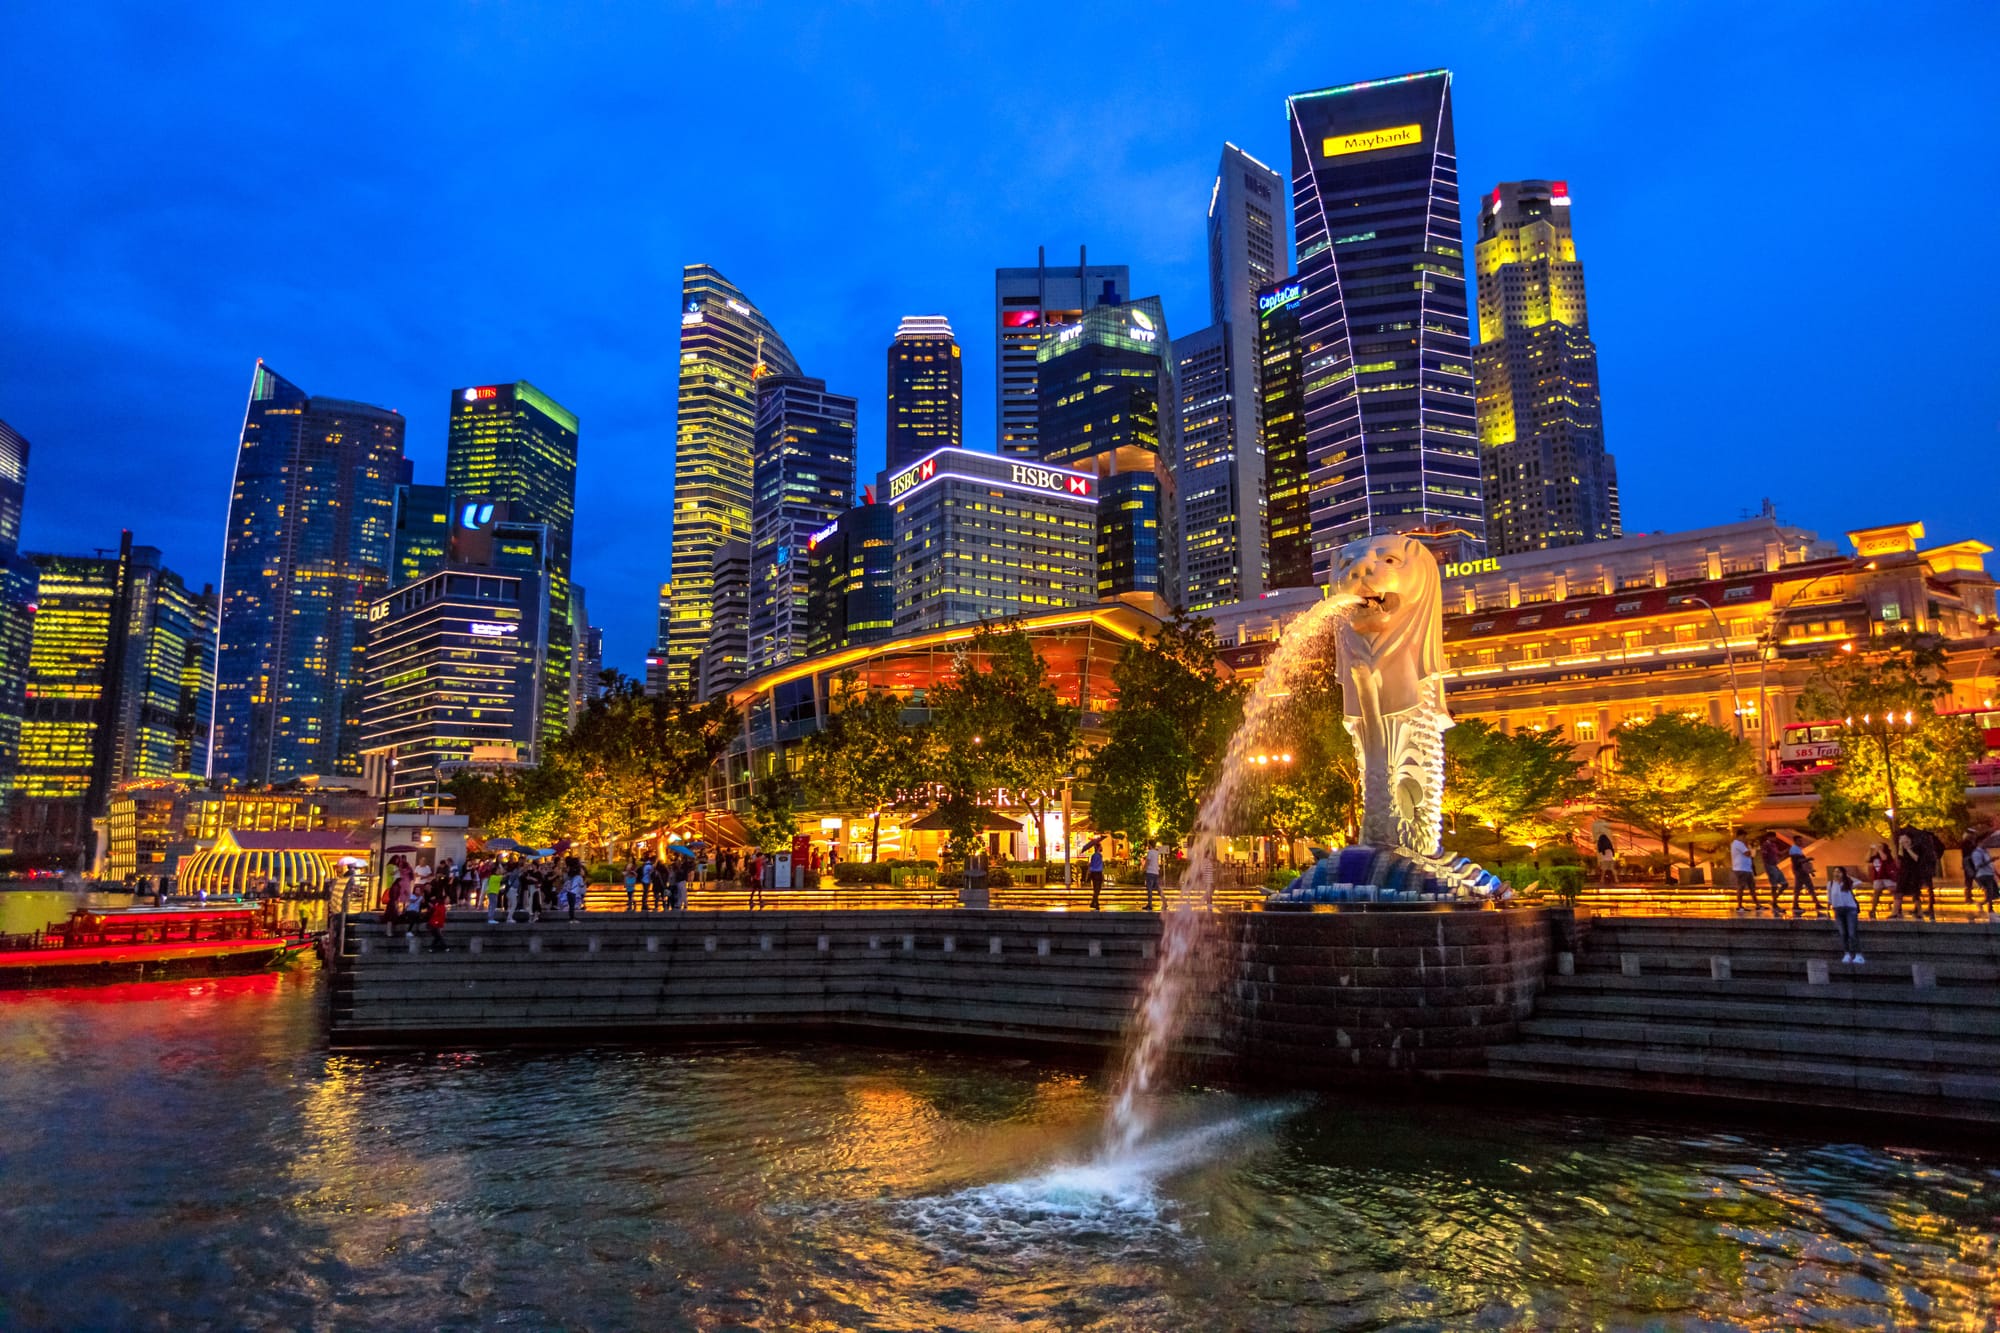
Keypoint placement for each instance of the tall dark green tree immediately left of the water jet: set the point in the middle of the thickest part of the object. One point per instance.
(1169, 734)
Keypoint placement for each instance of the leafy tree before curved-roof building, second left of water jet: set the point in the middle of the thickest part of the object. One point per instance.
(999, 724)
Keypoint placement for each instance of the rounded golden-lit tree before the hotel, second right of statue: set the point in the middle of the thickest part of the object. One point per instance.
(1677, 774)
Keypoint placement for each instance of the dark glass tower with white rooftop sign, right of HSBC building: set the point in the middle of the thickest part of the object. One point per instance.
(1109, 409)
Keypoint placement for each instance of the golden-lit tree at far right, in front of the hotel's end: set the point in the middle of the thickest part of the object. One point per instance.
(1901, 764)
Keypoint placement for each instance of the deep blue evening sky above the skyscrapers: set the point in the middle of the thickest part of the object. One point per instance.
(1785, 213)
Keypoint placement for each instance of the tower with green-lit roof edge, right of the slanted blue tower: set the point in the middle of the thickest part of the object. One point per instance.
(515, 445)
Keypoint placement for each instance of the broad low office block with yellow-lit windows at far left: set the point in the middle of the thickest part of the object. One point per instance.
(119, 688)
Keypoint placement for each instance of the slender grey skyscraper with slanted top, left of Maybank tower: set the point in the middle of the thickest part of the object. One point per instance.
(1221, 471)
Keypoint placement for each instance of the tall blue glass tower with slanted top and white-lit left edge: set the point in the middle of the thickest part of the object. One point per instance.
(311, 539)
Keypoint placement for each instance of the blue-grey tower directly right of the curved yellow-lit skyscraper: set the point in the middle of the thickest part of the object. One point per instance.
(803, 479)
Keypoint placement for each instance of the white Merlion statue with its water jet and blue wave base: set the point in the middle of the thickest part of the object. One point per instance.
(1385, 613)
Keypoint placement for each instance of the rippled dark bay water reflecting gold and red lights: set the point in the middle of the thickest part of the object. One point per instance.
(191, 1156)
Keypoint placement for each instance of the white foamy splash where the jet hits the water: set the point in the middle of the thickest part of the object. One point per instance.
(1111, 1202)
